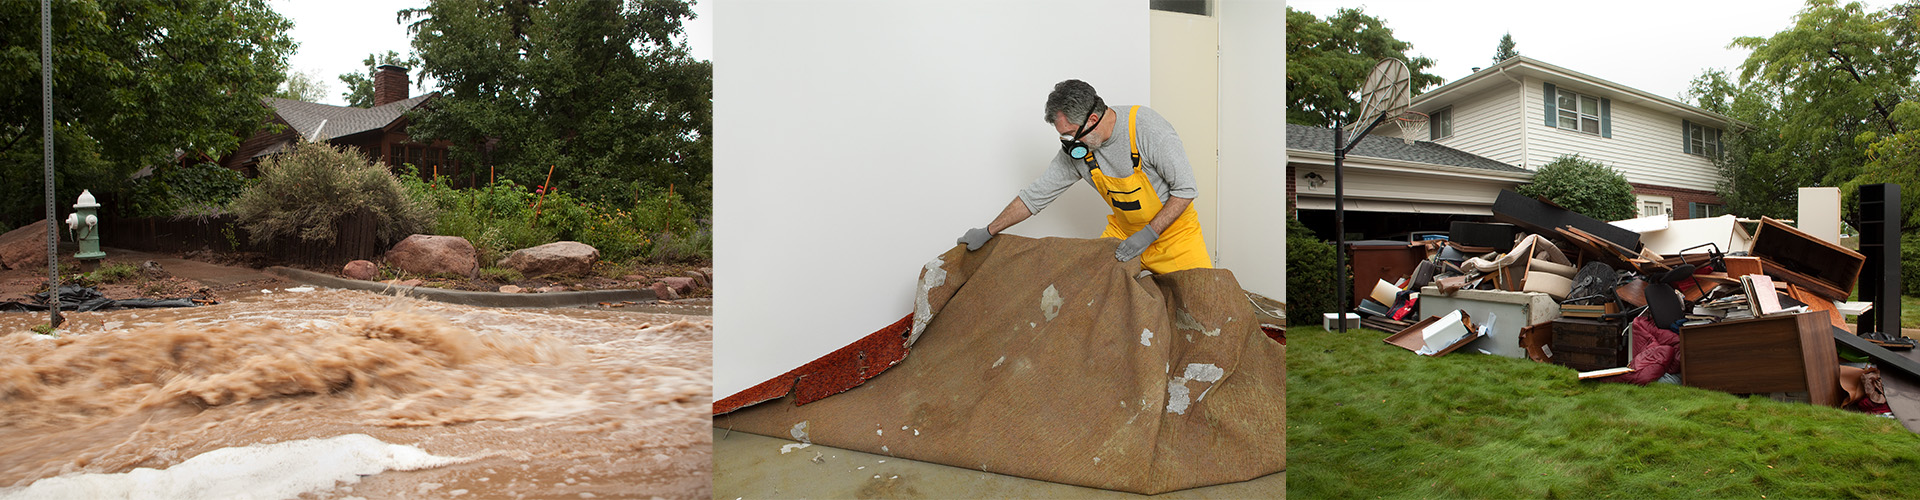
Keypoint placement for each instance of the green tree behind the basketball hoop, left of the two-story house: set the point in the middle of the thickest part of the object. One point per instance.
(1328, 61)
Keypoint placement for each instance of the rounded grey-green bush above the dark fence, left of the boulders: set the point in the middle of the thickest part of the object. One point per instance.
(306, 189)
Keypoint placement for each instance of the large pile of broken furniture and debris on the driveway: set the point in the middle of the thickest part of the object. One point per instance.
(1721, 303)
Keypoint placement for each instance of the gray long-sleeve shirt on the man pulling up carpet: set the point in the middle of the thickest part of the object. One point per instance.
(1163, 159)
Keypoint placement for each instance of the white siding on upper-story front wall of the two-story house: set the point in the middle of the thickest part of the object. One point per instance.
(1644, 145)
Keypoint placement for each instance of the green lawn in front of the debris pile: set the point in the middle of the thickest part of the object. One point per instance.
(1368, 420)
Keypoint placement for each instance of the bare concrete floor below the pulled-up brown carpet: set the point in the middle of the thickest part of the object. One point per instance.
(752, 466)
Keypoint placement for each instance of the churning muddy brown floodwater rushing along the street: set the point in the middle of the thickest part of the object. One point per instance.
(531, 403)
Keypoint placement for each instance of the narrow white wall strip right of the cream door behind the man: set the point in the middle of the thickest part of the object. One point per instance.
(1253, 145)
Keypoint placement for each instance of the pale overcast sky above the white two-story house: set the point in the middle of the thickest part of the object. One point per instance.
(1656, 47)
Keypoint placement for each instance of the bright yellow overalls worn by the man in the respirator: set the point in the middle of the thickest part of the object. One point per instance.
(1136, 203)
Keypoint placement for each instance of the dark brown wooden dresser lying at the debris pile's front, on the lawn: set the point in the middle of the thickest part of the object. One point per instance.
(1767, 355)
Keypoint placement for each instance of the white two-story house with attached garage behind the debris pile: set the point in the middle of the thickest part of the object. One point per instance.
(1491, 132)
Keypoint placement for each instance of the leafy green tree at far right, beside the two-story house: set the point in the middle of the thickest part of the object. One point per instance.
(1833, 103)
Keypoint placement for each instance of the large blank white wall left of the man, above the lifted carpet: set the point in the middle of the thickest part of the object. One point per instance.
(857, 139)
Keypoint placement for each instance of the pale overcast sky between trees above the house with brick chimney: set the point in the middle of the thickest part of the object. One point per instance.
(337, 36)
